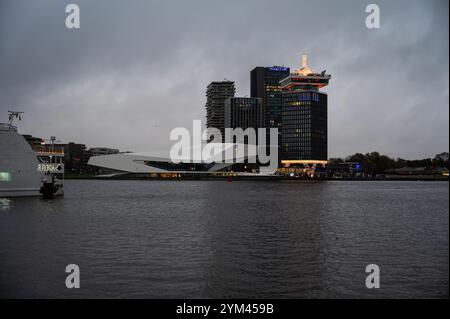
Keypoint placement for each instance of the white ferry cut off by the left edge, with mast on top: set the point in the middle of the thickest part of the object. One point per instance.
(25, 171)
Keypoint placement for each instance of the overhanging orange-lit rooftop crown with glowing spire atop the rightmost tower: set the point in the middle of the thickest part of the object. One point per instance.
(305, 78)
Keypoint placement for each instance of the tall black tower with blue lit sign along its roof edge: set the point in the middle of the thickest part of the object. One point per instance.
(265, 84)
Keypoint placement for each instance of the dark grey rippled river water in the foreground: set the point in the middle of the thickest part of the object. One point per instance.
(213, 239)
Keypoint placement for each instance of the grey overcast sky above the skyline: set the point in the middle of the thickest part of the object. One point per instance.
(137, 69)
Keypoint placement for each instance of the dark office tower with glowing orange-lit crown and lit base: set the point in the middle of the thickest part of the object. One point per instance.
(304, 117)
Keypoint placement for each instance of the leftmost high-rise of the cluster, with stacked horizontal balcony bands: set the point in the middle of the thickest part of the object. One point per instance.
(216, 94)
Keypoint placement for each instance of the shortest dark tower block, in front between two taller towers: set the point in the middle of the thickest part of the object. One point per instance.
(243, 112)
